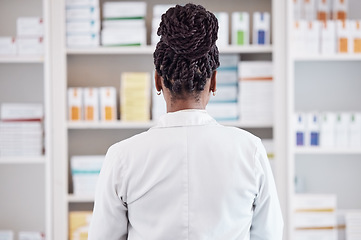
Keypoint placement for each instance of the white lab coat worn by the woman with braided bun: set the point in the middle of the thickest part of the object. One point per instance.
(187, 178)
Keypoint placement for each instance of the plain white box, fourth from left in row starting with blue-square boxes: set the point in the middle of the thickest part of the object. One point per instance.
(342, 129)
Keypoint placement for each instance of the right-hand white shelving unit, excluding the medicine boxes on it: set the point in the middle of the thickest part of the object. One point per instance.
(328, 83)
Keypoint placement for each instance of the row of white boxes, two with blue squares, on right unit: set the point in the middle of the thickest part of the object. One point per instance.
(328, 129)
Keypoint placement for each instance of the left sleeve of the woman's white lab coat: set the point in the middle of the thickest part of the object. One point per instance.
(109, 220)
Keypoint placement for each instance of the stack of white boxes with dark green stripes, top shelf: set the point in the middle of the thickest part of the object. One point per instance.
(124, 24)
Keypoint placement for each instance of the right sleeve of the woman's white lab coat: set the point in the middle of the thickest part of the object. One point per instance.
(267, 222)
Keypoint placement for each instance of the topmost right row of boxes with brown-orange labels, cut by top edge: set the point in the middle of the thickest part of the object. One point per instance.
(320, 9)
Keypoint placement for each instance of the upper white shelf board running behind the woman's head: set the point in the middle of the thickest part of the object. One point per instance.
(147, 50)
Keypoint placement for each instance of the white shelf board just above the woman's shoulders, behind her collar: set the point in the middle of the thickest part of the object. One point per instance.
(146, 125)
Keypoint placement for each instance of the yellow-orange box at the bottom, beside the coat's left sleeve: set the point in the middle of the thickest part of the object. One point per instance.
(79, 222)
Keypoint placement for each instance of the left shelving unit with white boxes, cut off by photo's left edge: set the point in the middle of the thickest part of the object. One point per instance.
(25, 121)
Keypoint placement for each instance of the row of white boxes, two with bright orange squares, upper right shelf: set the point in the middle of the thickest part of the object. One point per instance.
(328, 37)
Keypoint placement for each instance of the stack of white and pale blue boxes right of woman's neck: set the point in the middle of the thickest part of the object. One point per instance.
(224, 105)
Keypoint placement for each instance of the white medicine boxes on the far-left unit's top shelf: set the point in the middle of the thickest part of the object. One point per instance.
(29, 38)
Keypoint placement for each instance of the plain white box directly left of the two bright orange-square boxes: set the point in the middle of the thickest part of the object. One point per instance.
(328, 37)
